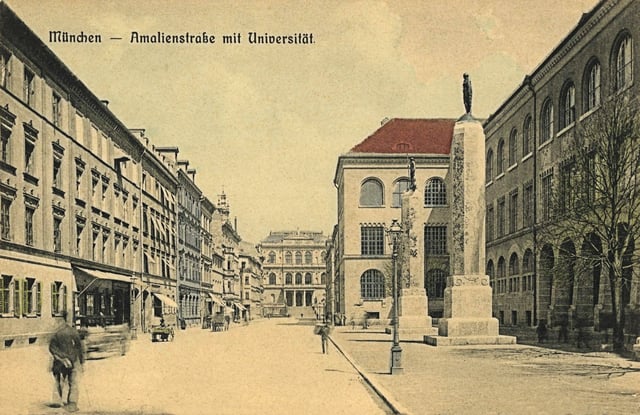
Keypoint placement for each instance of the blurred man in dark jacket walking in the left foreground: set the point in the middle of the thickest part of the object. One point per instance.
(67, 350)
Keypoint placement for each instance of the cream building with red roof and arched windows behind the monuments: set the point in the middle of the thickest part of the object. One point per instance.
(370, 180)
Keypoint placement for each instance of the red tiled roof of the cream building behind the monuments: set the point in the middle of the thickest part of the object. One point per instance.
(400, 135)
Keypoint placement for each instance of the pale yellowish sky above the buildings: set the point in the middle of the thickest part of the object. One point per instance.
(268, 122)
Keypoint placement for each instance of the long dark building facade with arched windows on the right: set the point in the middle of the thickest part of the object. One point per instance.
(529, 155)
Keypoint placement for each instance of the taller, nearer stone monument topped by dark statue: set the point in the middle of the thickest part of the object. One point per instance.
(467, 315)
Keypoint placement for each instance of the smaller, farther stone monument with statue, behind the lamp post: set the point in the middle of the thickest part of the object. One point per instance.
(413, 319)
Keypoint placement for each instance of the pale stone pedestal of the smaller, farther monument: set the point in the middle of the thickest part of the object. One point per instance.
(413, 321)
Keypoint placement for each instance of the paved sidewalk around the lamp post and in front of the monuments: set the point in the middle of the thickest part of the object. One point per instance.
(514, 379)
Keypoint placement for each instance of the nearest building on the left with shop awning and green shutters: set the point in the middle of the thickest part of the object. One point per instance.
(70, 197)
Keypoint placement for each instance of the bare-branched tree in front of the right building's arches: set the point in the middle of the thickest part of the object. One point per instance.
(597, 201)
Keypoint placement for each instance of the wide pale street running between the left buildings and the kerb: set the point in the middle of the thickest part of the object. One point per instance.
(270, 366)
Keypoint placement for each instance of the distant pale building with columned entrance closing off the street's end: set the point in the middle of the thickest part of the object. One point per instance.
(294, 273)
